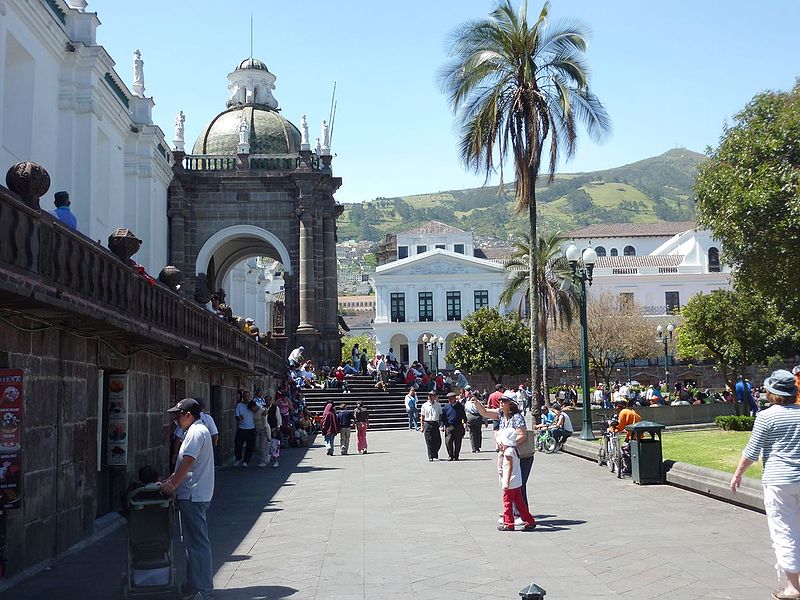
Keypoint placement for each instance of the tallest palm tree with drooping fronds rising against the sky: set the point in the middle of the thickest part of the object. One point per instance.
(519, 90)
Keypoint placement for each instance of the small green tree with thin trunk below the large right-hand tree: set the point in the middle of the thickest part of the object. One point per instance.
(735, 328)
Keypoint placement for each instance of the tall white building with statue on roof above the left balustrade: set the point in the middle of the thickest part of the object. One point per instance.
(64, 105)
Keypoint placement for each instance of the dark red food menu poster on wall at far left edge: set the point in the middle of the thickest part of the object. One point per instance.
(11, 419)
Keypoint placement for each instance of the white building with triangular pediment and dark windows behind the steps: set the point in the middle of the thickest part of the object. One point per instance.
(435, 282)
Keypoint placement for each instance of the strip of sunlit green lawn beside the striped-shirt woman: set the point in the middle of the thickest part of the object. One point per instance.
(715, 449)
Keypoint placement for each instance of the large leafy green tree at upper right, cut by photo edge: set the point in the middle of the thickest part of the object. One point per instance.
(748, 194)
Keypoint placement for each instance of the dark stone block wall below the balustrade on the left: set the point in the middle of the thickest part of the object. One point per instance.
(64, 488)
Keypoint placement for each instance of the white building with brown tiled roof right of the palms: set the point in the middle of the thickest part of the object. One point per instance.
(658, 265)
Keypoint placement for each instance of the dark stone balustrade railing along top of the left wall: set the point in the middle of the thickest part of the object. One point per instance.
(39, 253)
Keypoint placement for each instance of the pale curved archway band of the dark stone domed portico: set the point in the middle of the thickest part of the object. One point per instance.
(231, 245)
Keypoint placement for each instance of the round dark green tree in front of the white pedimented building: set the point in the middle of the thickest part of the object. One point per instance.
(492, 343)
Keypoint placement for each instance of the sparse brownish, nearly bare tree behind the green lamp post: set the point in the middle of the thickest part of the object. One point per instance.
(617, 332)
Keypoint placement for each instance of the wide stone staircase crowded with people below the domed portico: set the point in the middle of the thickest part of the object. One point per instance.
(386, 409)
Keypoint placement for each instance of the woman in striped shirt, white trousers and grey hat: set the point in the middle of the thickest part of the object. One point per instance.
(776, 436)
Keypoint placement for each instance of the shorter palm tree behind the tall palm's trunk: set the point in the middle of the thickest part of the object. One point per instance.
(557, 305)
